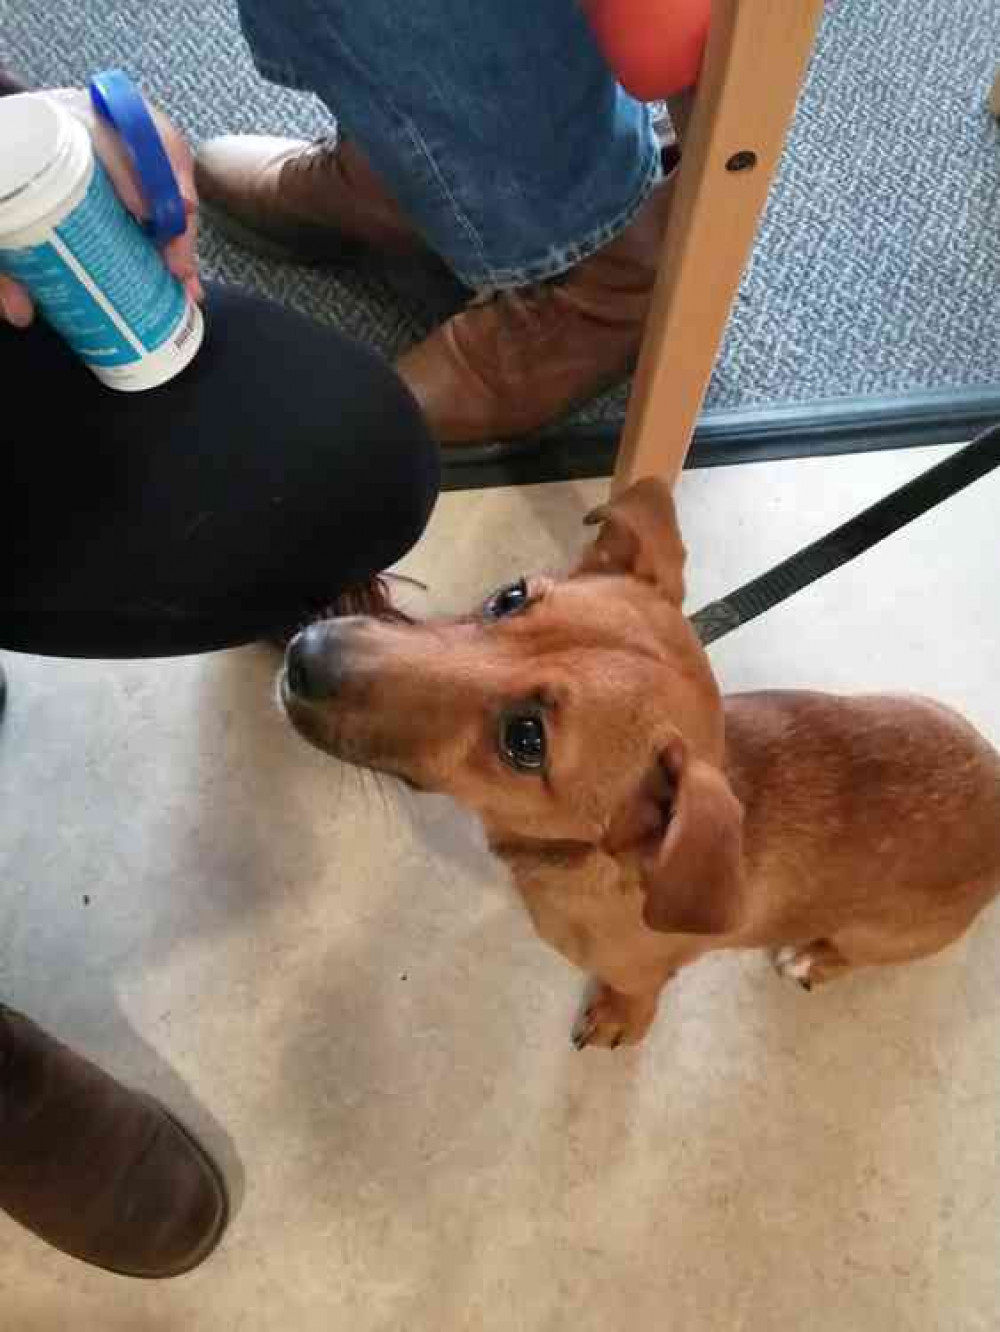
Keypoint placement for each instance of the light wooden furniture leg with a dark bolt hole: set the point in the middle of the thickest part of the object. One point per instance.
(756, 63)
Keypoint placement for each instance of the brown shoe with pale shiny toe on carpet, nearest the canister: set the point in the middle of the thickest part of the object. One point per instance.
(311, 203)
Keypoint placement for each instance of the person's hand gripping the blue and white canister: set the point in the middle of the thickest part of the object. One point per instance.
(180, 254)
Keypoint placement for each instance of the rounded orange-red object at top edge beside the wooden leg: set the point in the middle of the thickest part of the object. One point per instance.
(656, 47)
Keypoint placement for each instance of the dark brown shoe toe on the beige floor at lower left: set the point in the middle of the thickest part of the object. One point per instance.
(99, 1171)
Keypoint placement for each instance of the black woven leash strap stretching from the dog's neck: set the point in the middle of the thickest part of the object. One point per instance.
(852, 540)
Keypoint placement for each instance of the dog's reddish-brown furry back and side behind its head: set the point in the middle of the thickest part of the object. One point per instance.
(874, 820)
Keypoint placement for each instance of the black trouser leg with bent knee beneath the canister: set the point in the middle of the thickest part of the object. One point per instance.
(284, 467)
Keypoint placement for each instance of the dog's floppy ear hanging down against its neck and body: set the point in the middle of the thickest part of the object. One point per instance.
(694, 885)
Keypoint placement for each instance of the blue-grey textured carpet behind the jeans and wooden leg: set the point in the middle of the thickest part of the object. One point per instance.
(878, 266)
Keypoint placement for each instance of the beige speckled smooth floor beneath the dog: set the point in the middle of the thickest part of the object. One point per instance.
(334, 985)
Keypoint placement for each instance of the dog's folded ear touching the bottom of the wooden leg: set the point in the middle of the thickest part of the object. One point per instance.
(640, 536)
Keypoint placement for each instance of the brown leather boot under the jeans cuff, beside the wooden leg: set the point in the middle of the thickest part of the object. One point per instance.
(517, 360)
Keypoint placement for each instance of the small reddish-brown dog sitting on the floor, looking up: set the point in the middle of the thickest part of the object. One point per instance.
(645, 819)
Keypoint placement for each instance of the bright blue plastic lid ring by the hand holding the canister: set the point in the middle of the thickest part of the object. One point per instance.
(119, 102)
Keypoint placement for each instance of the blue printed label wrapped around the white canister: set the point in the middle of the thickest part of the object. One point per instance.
(101, 282)
